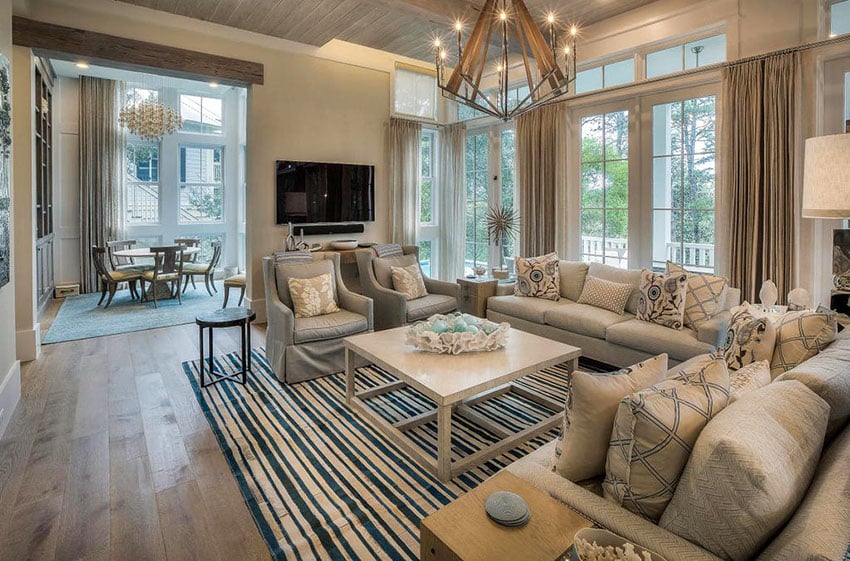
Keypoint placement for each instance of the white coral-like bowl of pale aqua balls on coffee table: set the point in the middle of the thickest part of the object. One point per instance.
(457, 333)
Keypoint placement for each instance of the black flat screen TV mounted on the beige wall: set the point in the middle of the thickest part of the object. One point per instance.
(321, 193)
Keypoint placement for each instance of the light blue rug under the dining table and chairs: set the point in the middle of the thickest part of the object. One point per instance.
(80, 317)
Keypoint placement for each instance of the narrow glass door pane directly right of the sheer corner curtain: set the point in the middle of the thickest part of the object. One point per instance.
(477, 243)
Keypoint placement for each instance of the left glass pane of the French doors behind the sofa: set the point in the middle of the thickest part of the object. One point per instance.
(605, 188)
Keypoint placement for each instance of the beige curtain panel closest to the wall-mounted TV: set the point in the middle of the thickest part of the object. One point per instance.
(405, 155)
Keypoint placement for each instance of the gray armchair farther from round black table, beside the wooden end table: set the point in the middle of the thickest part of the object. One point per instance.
(392, 309)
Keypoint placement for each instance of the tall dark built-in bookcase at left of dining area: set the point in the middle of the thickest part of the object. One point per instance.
(43, 97)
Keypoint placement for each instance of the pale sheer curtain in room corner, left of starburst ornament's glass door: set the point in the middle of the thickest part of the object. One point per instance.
(451, 180)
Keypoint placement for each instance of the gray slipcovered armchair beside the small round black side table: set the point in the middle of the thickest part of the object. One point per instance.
(301, 349)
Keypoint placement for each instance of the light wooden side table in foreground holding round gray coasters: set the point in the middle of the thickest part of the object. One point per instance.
(463, 531)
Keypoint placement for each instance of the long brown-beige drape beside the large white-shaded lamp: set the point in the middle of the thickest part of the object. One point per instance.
(760, 121)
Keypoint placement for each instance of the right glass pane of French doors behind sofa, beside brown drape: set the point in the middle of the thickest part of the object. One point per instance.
(683, 183)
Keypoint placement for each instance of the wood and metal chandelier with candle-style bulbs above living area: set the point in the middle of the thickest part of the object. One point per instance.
(547, 68)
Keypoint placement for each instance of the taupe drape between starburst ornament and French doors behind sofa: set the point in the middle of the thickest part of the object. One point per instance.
(541, 143)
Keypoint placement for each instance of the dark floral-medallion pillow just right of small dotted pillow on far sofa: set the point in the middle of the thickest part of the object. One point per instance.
(662, 298)
